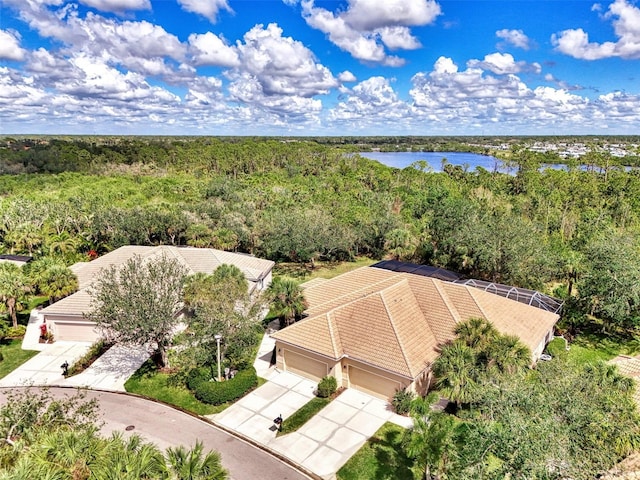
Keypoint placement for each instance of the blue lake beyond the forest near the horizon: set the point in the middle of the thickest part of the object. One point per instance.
(434, 159)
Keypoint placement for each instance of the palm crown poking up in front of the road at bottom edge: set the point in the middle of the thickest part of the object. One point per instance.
(193, 465)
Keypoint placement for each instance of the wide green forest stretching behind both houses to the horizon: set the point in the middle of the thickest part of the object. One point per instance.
(571, 233)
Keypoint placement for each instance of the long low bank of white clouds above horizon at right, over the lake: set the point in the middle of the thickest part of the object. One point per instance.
(470, 98)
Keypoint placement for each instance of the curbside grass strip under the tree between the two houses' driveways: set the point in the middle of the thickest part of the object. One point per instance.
(148, 381)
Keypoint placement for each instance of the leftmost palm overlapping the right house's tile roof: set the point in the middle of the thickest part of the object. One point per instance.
(456, 373)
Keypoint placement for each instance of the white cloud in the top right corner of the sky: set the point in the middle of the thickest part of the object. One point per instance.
(626, 24)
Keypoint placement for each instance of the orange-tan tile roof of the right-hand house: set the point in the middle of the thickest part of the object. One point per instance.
(397, 320)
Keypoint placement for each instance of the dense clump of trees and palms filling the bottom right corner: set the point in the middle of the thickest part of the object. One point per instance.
(560, 420)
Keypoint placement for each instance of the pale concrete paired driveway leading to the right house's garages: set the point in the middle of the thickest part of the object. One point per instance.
(325, 442)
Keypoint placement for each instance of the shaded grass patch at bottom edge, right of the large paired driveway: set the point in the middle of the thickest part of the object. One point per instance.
(381, 458)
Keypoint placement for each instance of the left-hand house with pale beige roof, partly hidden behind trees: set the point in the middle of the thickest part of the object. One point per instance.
(66, 320)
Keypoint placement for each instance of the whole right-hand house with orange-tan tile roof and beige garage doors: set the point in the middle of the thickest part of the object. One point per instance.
(379, 330)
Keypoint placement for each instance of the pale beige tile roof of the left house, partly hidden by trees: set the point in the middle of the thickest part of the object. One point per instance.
(195, 260)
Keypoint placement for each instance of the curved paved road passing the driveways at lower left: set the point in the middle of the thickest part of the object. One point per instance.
(167, 427)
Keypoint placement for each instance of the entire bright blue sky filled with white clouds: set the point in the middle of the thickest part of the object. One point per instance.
(312, 67)
